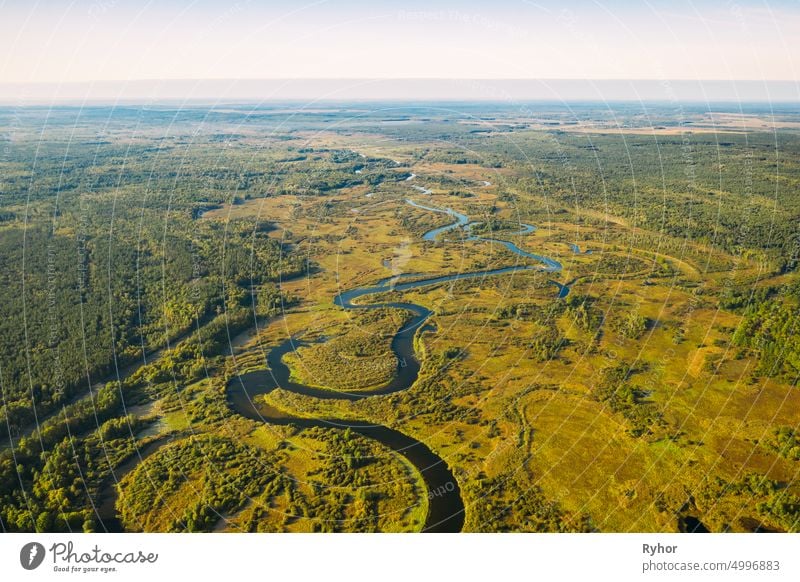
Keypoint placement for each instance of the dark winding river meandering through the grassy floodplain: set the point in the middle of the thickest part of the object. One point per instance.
(445, 506)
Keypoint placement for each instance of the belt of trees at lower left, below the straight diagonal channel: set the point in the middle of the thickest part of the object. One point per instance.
(77, 440)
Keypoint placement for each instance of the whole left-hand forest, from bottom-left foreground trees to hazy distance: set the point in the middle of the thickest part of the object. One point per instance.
(106, 263)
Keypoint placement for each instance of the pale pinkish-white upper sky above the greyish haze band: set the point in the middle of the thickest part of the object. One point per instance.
(85, 40)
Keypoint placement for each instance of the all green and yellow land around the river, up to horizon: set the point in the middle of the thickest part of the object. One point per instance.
(139, 245)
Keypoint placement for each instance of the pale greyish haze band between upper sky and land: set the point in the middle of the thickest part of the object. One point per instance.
(405, 89)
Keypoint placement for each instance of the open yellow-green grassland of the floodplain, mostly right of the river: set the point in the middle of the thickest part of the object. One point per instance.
(579, 451)
